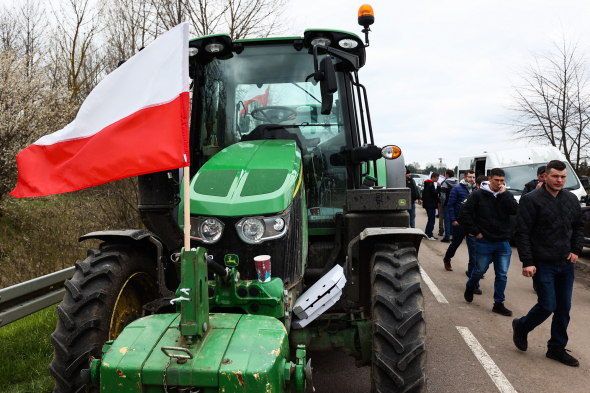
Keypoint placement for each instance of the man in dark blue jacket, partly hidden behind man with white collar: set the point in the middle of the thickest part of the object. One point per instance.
(456, 197)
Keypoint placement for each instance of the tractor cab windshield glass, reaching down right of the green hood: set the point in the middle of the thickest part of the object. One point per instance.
(273, 86)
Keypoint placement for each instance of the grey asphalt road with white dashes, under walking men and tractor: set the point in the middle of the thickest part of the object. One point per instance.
(452, 363)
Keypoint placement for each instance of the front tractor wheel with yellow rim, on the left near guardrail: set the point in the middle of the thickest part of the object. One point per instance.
(105, 294)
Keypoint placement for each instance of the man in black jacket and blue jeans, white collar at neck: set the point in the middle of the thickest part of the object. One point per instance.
(486, 215)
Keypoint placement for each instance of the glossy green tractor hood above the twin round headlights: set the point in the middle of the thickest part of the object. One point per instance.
(247, 178)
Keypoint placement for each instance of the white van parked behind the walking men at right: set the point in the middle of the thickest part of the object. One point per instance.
(520, 166)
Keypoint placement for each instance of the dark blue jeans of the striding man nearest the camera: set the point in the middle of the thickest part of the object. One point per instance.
(554, 296)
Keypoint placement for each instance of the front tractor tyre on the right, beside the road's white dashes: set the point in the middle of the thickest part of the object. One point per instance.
(399, 330)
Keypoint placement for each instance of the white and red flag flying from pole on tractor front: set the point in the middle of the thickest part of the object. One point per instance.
(135, 121)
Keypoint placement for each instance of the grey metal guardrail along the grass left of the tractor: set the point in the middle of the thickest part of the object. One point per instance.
(28, 297)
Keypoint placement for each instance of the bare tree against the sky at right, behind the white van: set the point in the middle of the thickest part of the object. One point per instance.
(552, 104)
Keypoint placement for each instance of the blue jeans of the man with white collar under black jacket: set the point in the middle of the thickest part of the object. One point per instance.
(487, 252)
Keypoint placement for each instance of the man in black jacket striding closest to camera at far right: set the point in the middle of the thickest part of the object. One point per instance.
(549, 236)
